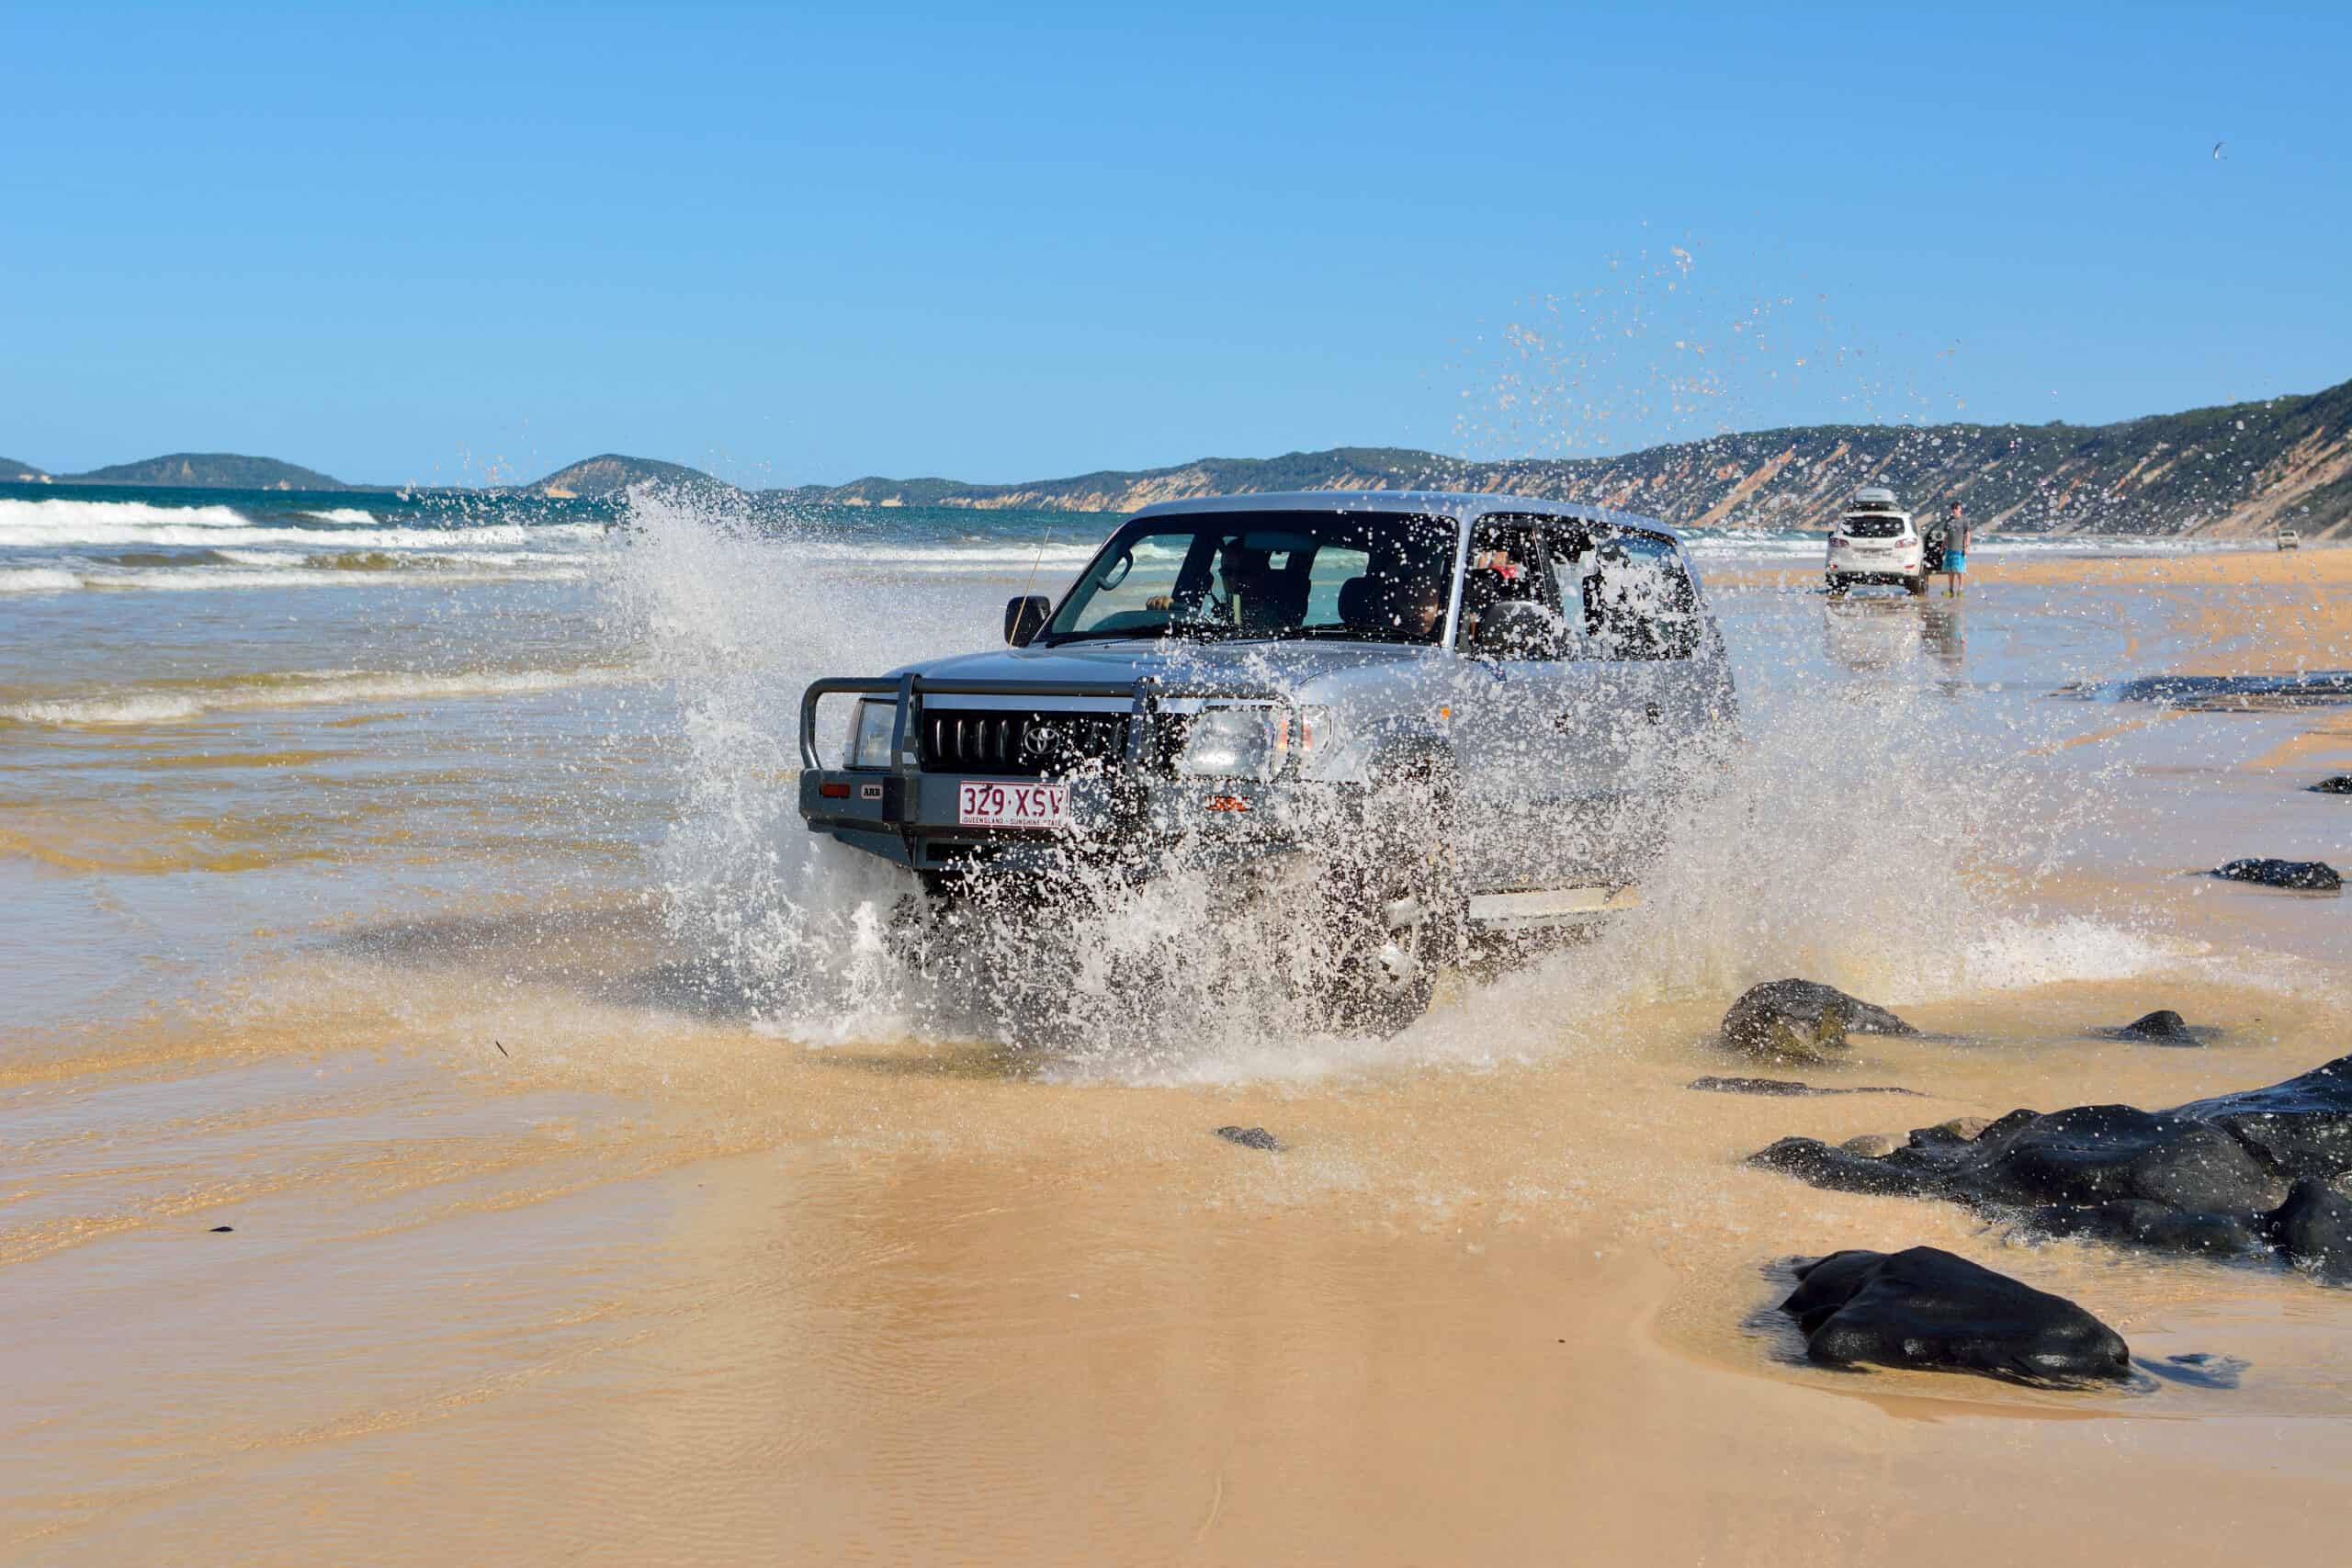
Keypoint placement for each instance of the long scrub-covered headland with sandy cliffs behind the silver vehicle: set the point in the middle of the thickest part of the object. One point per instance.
(2233, 471)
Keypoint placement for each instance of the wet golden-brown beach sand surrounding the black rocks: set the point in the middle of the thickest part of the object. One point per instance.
(650, 1282)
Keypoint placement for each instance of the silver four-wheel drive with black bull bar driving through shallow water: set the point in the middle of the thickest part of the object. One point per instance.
(1438, 716)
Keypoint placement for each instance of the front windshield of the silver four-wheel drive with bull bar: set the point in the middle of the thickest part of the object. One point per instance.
(1356, 577)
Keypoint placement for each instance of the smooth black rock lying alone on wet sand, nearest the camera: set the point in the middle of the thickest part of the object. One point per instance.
(1930, 1311)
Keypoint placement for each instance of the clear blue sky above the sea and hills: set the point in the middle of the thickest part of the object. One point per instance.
(801, 246)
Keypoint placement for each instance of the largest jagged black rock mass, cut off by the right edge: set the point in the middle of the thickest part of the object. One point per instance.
(2240, 1174)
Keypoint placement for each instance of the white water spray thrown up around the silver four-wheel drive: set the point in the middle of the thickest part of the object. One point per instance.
(1873, 831)
